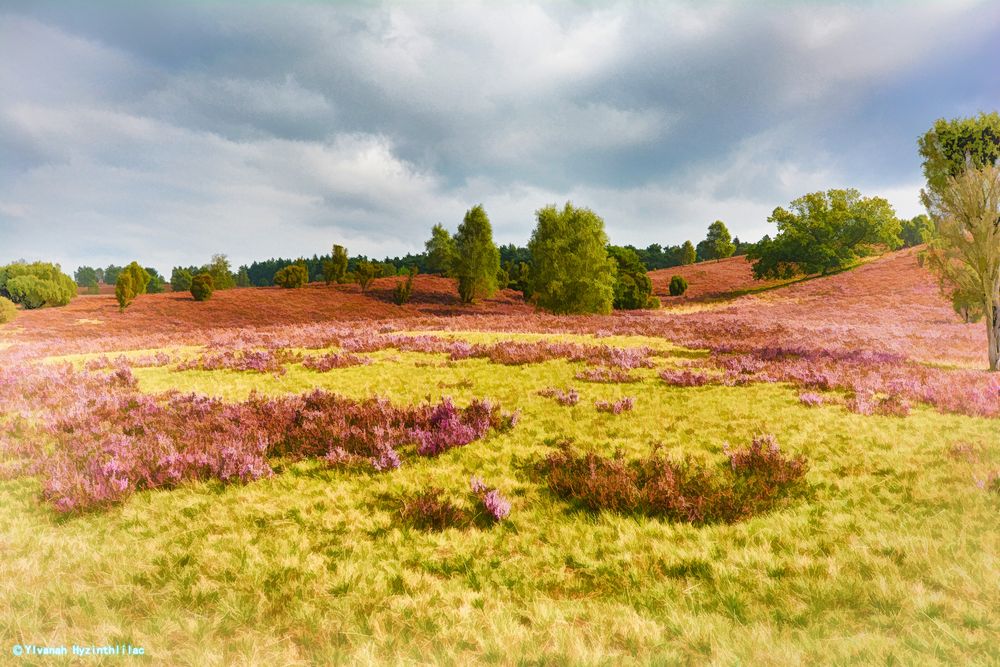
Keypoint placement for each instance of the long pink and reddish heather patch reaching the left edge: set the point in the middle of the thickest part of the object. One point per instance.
(104, 440)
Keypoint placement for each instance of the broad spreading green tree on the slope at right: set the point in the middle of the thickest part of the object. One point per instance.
(823, 232)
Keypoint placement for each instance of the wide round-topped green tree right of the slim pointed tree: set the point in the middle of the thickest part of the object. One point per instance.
(571, 271)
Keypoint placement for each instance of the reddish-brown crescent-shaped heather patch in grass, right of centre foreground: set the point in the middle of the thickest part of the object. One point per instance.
(753, 482)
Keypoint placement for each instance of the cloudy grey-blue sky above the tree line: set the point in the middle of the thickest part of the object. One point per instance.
(167, 132)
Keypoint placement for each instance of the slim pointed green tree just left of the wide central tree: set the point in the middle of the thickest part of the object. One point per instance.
(477, 259)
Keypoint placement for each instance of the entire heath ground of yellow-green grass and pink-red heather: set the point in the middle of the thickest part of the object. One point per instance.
(243, 481)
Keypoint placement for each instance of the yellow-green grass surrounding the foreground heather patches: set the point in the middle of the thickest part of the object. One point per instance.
(889, 557)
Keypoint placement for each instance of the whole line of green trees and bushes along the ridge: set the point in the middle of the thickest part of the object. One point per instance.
(568, 265)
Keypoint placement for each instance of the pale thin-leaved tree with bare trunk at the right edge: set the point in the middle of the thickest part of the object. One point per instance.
(966, 249)
